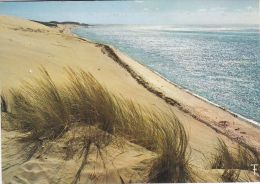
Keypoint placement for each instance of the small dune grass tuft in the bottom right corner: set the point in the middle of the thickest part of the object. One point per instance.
(233, 160)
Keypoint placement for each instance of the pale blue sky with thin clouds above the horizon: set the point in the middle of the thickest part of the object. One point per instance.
(156, 12)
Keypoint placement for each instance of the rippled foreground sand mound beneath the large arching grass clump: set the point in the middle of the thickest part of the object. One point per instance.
(116, 163)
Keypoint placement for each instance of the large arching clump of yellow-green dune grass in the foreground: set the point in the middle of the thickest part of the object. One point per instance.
(45, 111)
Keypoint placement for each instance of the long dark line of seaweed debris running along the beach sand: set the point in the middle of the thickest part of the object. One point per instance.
(111, 53)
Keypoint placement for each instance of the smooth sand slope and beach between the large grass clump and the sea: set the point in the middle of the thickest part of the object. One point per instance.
(58, 47)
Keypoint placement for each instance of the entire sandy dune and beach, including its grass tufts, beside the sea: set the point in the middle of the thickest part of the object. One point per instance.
(83, 117)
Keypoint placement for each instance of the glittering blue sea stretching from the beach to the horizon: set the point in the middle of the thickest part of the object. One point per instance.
(221, 64)
